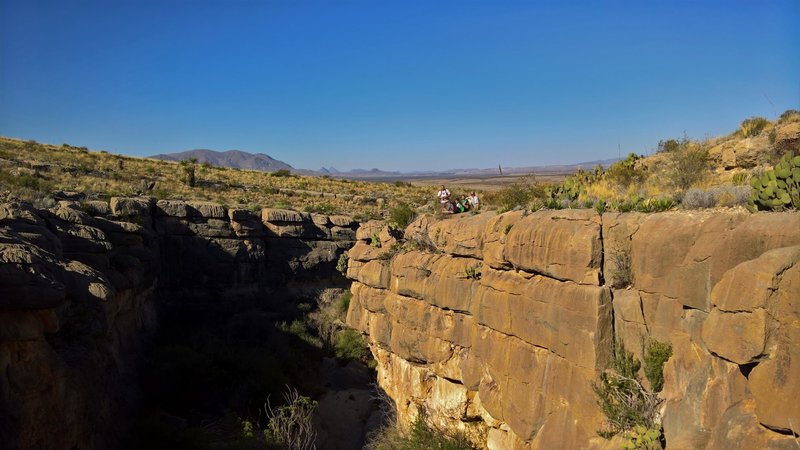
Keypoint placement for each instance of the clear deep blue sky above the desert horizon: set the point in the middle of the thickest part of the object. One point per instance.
(398, 85)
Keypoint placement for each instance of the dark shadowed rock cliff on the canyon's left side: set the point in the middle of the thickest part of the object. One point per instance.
(79, 290)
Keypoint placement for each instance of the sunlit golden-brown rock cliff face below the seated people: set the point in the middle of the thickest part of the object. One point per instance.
(497, 324)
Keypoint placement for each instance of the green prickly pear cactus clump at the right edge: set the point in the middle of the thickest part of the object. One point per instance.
(778, 188)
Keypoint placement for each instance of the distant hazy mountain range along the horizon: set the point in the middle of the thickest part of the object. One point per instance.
(263, 162)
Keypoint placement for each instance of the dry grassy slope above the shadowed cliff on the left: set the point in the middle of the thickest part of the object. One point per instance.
(102, 175)
